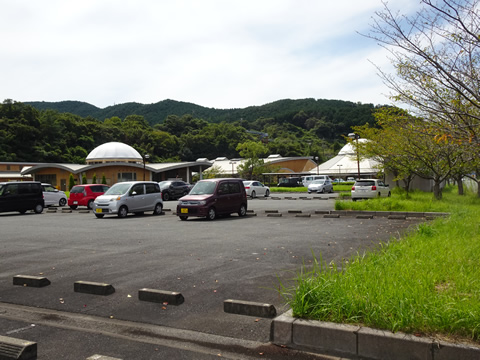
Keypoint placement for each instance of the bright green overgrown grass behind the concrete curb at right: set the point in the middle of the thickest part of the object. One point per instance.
(427, 282)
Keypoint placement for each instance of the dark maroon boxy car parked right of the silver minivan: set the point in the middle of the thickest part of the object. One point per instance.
(213, 197)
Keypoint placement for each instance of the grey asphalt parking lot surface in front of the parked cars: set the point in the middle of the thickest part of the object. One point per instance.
(208, 262)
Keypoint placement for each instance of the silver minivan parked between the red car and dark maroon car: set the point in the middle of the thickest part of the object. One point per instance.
(129, 197)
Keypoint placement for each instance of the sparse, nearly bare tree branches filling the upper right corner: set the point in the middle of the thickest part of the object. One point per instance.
(436, 54)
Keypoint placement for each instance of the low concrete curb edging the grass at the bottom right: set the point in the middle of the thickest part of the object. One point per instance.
(362, 342)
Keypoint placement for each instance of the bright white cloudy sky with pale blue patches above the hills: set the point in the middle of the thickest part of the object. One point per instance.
(214, 53)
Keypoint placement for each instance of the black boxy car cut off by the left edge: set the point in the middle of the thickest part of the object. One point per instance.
(21, 196)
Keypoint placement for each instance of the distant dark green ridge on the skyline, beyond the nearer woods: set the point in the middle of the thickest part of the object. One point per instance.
(331, 111)
